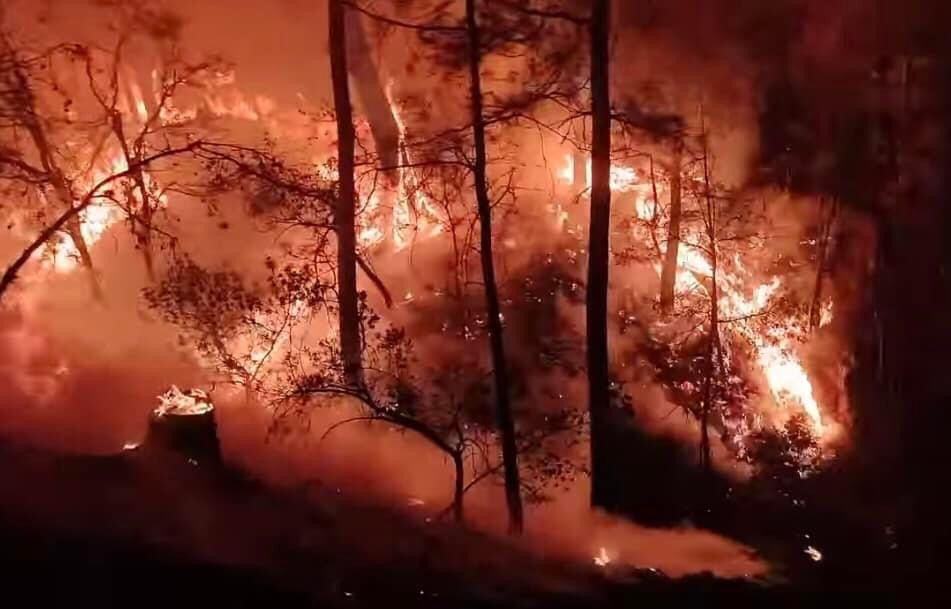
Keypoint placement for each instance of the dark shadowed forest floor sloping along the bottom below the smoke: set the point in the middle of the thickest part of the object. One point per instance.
(133, 530)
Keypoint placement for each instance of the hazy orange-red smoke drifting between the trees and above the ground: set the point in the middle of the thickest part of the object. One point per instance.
(81, 377)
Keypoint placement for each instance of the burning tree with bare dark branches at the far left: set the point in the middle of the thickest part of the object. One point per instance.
(59, 98)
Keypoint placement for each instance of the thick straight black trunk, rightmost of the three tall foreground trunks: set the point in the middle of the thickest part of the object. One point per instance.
(599, 391)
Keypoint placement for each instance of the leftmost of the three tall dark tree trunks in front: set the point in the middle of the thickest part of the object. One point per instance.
(344, 218)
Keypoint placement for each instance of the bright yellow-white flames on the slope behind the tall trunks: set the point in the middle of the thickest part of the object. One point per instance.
(392, 211)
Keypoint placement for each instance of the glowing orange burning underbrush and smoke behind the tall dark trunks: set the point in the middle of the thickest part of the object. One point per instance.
(216, 268)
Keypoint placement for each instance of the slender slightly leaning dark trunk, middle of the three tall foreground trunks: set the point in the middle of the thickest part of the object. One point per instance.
(499, 363)
